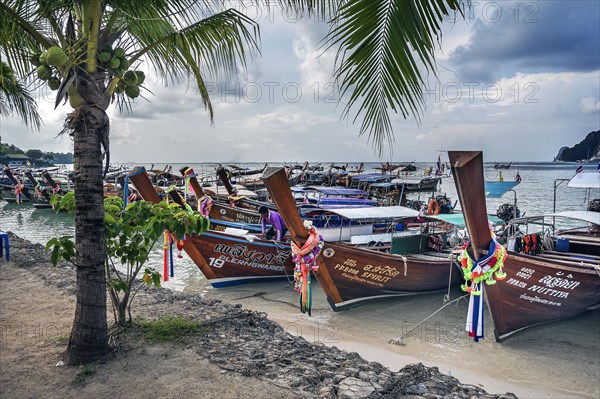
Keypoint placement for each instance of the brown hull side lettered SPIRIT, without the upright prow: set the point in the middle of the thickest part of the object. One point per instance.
(359, 275)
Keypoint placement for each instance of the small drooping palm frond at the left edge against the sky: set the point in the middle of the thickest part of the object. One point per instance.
(16, 99)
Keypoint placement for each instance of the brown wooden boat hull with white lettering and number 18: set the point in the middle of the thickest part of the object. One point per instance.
(229, 260)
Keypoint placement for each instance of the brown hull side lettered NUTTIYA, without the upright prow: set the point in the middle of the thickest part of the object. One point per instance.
(538, 291)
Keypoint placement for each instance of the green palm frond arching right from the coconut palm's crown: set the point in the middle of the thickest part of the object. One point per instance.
(212, 48)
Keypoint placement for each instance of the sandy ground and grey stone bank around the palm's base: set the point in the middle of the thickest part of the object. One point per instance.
(256, 355)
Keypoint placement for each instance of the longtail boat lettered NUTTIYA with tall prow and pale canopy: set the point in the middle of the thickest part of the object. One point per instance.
(544, 282)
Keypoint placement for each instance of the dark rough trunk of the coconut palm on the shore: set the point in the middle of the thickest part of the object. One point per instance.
(89, 335)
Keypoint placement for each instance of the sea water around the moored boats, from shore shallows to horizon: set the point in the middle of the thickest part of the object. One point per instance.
(556, 360)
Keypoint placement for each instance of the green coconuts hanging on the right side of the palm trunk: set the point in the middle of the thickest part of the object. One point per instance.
(116, 61)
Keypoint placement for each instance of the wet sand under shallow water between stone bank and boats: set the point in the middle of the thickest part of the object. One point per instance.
(556, 360)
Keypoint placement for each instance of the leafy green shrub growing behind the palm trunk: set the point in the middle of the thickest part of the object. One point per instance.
(129, 237)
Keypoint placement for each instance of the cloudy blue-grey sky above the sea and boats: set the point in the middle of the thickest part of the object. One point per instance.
(517, 80)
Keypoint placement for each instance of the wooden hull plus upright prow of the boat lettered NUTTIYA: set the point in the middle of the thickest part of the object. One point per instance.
(538, 289)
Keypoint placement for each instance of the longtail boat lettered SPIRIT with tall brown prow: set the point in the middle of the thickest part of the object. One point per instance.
(349, 274)
